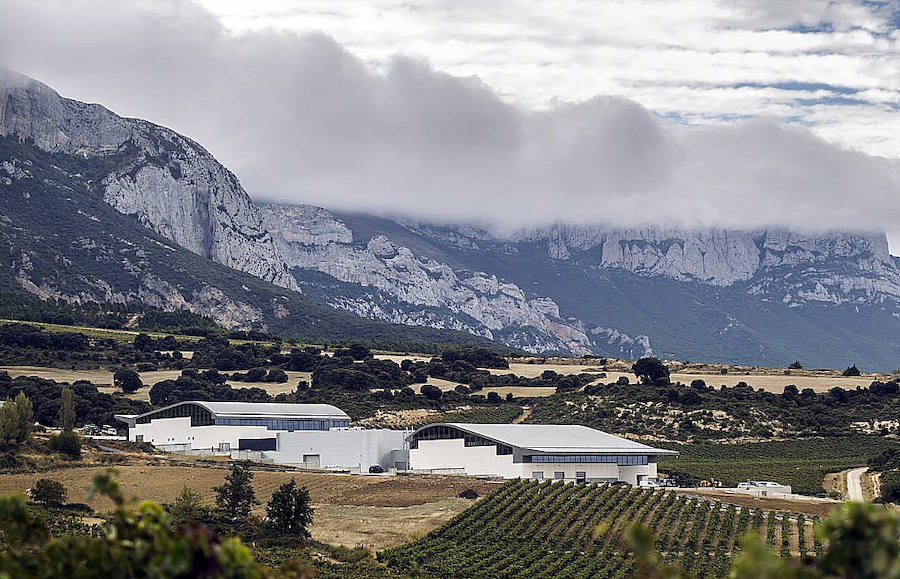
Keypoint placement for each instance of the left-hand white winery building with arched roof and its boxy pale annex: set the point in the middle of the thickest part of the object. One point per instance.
(312, 435)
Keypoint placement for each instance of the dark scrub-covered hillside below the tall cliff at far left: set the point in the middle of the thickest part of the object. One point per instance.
(59, 239)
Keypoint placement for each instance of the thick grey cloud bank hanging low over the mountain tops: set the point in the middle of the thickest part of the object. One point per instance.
(300, 119)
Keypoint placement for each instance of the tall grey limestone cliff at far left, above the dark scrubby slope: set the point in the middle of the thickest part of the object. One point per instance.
(167, 181)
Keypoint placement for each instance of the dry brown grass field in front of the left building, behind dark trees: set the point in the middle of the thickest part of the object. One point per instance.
(377, 512)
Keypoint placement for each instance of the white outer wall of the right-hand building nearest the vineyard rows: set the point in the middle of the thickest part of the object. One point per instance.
(484, 461)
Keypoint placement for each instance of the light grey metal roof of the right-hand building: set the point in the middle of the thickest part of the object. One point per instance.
(559, 438)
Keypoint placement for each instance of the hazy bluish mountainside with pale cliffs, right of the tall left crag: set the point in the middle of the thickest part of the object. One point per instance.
(758, 297)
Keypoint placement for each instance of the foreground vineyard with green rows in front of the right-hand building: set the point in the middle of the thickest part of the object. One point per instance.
(546, 529)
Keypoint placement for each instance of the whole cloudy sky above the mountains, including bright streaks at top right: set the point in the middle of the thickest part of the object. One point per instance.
(730, 113)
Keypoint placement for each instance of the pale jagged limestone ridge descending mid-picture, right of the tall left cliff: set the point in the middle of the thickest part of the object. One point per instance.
(415, 289)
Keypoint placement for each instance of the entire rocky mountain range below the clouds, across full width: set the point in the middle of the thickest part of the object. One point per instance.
(104, 208)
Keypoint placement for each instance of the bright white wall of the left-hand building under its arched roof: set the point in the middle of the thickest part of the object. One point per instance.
(170, 431)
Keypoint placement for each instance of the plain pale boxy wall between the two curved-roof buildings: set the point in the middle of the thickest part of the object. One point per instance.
(344, 448)
